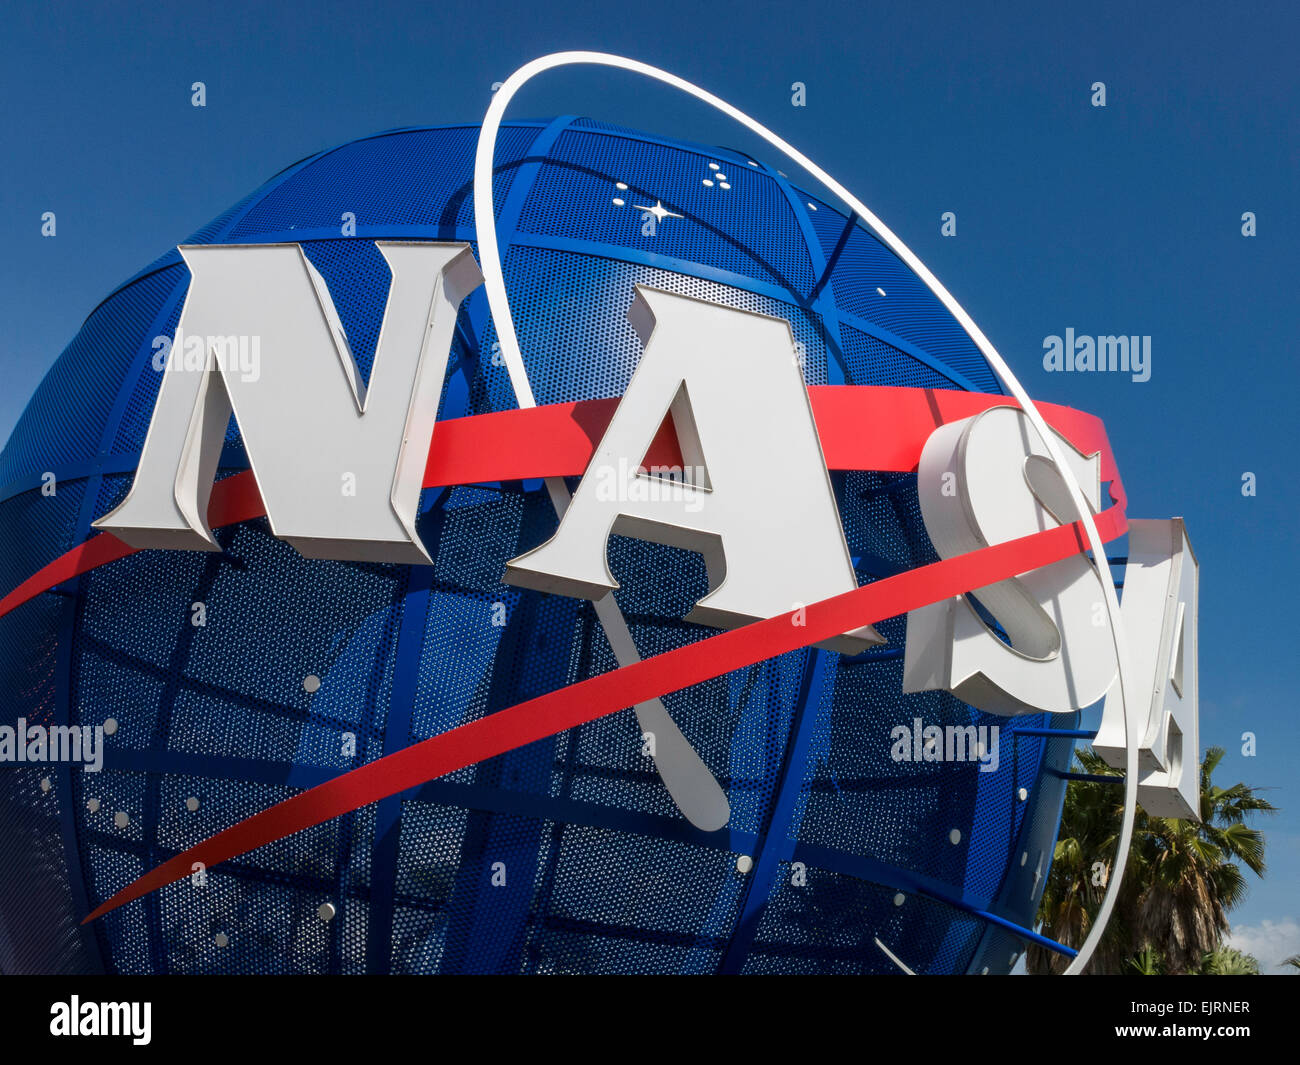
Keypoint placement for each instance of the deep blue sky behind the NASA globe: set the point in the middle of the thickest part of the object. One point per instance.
(1117, 220)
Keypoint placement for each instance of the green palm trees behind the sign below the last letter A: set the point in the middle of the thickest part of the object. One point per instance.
(1182, 877)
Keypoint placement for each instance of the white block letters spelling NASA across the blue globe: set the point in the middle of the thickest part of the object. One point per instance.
(311, 428)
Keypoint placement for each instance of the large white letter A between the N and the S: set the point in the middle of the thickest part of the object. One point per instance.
(764, 517)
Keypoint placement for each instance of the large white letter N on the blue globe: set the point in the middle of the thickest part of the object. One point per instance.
(305, 415)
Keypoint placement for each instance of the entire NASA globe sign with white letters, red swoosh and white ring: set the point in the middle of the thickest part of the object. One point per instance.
(946, 540)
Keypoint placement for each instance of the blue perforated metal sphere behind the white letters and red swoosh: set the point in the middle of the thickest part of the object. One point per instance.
(216, 721)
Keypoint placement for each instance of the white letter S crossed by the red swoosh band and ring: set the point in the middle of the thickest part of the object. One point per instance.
(1054, 657)
